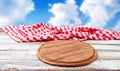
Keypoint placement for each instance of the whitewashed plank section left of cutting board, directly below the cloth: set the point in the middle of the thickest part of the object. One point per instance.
(20, 46)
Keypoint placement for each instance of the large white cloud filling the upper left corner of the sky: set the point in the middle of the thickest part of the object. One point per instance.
(12, 11)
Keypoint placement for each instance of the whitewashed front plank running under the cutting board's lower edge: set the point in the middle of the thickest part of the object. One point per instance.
(37, 65)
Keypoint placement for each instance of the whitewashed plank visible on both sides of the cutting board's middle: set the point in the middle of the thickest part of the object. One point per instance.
(17, 55)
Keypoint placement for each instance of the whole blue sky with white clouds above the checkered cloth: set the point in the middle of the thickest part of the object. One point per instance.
(104, 14)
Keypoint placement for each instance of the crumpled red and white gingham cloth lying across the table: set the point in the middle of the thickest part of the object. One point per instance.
(42, 32)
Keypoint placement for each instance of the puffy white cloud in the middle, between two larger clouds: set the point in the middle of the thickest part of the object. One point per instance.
(64, 14)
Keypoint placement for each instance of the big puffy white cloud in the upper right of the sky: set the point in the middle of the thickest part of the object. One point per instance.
(100, 11)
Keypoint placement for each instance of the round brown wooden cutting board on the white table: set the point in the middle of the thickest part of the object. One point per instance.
(66, 53)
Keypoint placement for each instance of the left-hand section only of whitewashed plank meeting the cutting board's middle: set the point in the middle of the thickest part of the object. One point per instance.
(17, 55)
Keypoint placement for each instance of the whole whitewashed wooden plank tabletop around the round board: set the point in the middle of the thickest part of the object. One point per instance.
(22, 56)
